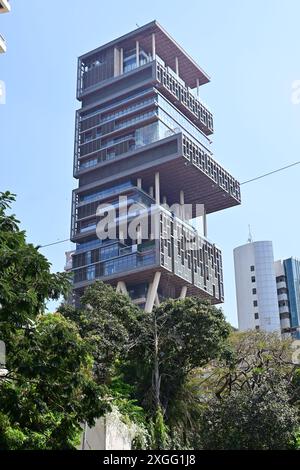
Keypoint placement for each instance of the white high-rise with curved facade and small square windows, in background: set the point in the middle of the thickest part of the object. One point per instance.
(256, 288)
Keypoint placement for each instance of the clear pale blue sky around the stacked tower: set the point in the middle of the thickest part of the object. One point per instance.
(249, 48)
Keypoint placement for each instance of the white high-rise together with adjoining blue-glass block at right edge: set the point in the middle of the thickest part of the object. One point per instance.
(267, 292)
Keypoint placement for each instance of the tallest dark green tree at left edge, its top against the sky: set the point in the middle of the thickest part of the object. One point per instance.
(26, 282)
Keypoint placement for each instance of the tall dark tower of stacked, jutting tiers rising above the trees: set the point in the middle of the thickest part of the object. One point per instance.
(142, 140)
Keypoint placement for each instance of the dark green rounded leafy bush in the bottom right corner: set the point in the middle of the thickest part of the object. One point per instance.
(253, 419)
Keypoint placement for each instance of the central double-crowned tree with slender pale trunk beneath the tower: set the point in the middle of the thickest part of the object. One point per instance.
(152, 353)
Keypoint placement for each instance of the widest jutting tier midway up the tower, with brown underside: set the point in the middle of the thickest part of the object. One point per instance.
(176, 158)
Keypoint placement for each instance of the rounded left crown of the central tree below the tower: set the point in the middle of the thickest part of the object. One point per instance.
(110, 323)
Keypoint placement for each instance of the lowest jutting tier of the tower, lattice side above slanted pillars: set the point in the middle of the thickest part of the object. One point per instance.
(178, 251)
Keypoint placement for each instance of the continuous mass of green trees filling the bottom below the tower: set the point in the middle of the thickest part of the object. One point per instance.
(179, 377)
